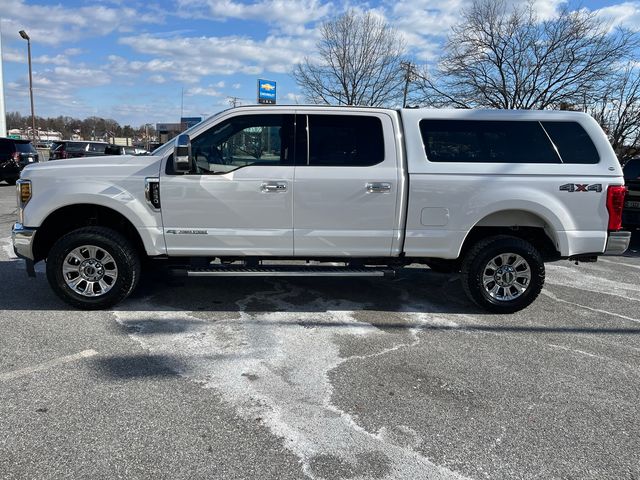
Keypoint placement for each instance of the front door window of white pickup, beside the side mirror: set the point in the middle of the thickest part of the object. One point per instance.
(243, 141)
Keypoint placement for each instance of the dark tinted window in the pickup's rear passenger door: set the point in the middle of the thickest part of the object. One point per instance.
(345, 141)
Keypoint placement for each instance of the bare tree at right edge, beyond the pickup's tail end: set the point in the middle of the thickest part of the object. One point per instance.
(618, 112)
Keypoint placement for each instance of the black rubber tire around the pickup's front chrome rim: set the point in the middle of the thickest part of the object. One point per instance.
(125, 258)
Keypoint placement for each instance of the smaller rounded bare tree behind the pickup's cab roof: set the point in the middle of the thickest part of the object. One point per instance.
(358, 63)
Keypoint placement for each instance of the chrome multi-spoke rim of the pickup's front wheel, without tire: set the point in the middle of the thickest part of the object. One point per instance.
(89, 271)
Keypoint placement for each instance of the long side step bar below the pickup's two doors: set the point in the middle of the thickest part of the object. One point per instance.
(283, 271)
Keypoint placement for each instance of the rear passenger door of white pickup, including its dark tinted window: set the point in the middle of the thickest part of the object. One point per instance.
(346, 196)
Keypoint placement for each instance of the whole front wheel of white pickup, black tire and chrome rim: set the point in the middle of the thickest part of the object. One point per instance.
(93, 268)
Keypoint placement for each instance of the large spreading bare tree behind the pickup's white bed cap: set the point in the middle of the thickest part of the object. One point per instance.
(506, 57)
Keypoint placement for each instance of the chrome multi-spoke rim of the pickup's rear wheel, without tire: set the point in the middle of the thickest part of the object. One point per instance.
(506, 277)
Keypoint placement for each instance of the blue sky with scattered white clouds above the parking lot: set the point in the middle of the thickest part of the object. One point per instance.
(130, 60)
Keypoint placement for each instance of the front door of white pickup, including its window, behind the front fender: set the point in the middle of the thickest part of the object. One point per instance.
(238, 198)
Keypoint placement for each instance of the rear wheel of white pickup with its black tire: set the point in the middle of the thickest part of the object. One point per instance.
(477, 263)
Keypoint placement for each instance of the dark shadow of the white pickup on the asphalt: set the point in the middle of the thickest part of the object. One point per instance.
(385, 304)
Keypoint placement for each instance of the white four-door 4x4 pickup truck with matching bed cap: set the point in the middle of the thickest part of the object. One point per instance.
(319, 191)
